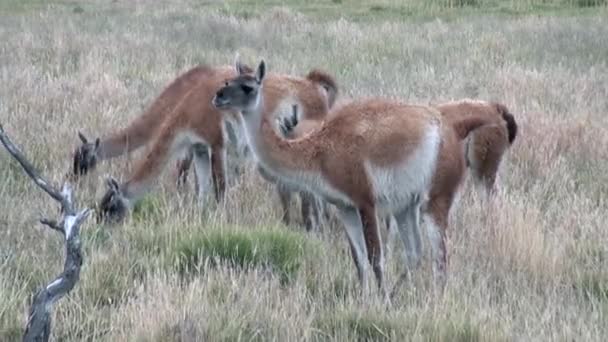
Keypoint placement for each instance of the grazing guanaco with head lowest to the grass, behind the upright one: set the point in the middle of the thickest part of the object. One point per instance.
(194, 124)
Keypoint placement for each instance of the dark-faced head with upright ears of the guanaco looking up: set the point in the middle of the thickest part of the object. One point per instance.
(243, 92)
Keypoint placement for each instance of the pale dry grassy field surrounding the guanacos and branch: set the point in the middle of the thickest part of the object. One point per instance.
(530, 265)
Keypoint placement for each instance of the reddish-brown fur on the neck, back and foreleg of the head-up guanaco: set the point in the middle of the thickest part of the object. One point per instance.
(377, 131)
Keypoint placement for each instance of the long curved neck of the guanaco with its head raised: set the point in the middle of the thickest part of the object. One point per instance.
(275, 153)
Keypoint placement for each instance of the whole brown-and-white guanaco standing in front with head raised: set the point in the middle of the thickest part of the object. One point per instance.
(369, 155)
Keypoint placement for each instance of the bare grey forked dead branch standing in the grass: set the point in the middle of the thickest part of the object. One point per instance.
(39, 322)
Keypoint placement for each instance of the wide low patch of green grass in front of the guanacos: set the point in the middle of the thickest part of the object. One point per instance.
(282, 251)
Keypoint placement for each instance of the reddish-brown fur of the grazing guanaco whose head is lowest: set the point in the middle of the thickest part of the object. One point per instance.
(194, 114)
